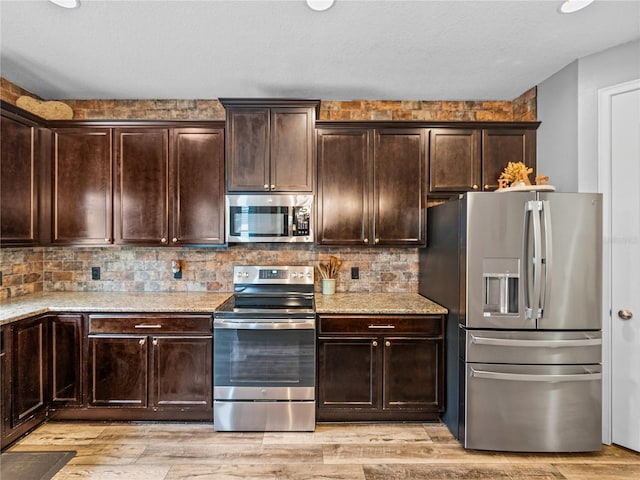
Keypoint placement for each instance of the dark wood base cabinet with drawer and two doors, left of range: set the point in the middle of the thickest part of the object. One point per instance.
(155, 366)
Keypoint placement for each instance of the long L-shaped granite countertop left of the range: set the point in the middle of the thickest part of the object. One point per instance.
(61, 302)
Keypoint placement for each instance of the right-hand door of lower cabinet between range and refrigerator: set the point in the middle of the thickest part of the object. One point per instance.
(411, 374)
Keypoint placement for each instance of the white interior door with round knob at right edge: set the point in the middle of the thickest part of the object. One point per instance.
(625, 267)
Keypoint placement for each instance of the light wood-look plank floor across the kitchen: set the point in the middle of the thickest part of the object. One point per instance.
(152, 451)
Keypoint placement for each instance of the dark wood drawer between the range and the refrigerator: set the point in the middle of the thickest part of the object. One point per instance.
(420, 324)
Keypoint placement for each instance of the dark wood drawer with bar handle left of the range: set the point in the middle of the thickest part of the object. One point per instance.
(153, 323)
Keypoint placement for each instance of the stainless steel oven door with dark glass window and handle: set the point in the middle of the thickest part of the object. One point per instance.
(264, 360)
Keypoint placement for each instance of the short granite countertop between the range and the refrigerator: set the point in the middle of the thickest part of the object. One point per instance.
(374, 303)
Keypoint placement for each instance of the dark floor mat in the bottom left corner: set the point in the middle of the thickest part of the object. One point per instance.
(32, 465)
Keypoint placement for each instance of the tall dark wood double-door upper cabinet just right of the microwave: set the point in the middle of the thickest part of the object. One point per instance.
(371, 186)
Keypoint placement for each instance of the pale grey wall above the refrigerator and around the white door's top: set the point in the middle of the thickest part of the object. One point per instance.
(568, 108)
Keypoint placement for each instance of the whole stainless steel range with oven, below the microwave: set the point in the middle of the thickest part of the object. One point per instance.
(264, 351)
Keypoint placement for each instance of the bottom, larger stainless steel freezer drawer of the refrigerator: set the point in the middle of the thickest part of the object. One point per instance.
(533, 408)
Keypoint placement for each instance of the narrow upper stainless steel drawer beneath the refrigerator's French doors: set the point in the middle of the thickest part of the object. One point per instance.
(537, 348)
